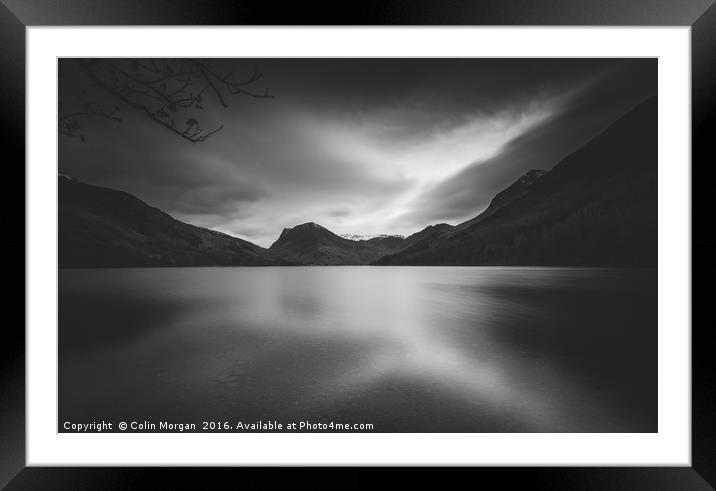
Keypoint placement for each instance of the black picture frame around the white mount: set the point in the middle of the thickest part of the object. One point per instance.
(16, 15)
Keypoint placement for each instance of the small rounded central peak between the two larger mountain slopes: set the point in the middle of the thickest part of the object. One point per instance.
(312, 244)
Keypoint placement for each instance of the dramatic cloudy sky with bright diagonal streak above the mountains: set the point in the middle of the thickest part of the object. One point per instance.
(358, 146)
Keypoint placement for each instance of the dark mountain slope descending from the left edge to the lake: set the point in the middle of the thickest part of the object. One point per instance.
(102, 227)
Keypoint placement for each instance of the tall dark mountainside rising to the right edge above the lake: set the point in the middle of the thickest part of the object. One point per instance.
(596, 207)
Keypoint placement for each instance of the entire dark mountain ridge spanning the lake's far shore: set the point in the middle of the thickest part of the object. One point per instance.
(595, 207)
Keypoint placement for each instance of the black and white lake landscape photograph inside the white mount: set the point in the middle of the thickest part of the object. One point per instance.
(357, 245)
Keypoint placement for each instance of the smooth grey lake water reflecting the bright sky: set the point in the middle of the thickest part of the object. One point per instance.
(405, 349)
